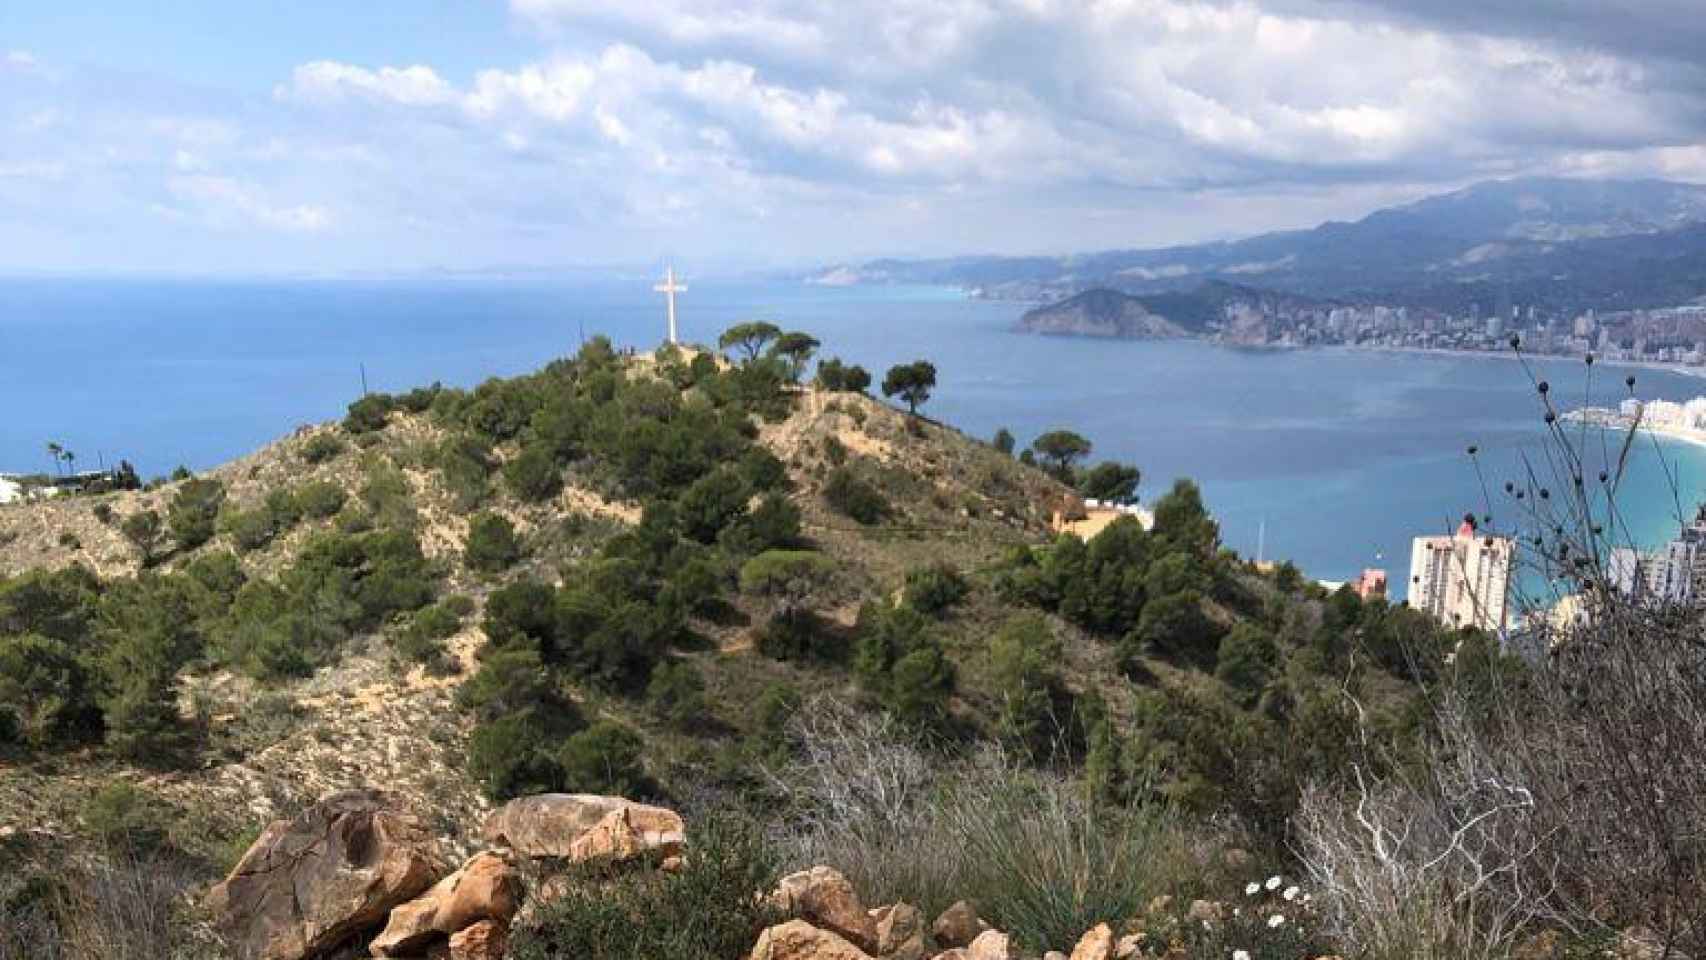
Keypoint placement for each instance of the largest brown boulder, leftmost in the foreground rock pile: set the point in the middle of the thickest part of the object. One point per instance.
(313, 882)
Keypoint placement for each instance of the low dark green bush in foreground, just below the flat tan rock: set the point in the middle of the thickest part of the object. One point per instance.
(704, 913)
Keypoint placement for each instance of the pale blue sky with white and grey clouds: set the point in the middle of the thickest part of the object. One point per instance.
(199, 137)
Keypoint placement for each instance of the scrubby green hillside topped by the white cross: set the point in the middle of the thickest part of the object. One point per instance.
(670, 577)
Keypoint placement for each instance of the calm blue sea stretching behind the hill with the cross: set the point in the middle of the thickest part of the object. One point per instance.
(1333, 458)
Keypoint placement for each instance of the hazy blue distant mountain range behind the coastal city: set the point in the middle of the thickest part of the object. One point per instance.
(1562, 245)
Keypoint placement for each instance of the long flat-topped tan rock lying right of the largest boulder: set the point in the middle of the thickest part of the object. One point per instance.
(586, 828)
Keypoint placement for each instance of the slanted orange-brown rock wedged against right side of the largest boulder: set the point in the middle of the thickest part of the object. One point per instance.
(485, 889)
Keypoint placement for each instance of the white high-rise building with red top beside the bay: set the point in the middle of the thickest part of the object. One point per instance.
(1465, 579)
